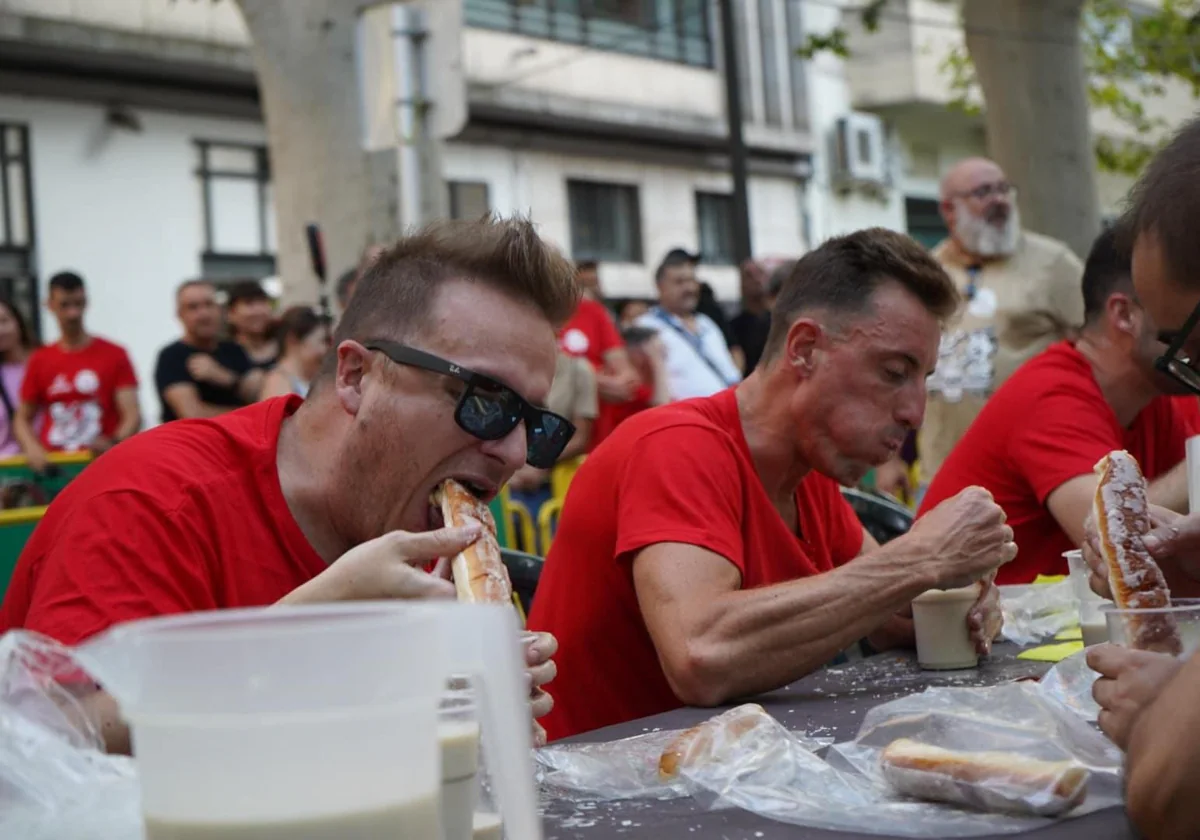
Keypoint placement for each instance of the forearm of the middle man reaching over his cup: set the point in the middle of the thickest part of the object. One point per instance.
(760, 639)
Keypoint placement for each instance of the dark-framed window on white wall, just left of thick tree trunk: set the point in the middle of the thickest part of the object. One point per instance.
(239, 224)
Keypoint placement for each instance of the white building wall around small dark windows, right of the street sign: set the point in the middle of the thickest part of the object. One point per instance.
(536, 184)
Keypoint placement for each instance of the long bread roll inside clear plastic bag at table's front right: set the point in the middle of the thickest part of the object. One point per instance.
(993, 782)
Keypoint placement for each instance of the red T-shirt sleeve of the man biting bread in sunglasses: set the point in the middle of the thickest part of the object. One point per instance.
(119, 559)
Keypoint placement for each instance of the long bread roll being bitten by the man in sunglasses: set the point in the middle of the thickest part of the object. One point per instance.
(479, 573)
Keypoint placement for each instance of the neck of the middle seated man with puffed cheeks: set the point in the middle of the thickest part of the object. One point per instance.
(771, 435)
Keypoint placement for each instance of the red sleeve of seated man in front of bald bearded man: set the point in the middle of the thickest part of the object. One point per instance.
(1070, 436)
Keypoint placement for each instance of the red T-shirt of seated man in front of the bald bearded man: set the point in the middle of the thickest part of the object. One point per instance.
(1045, 427)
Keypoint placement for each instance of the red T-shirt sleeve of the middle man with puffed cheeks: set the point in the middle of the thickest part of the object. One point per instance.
(682, 485)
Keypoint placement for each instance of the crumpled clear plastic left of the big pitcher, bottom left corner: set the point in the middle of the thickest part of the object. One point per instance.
(56, 782)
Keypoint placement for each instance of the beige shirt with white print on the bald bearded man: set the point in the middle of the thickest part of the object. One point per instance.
(1022, 305)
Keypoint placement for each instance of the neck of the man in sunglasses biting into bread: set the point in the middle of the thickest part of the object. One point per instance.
(305, 464)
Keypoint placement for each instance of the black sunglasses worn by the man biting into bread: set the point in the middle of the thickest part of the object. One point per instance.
(490, 410)
